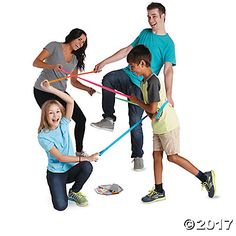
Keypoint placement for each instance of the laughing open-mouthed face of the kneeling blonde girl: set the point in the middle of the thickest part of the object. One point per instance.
(53, 116)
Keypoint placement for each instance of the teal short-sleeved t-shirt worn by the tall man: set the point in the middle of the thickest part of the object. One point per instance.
(162, 49)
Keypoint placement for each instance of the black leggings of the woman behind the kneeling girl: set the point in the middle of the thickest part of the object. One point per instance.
(78, 116)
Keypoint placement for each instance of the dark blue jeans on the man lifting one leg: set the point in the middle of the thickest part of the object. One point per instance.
(120, 81)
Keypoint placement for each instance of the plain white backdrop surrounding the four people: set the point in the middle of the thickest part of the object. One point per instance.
(203, 91)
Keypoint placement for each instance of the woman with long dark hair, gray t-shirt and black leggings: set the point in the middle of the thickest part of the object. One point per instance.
(55, 59)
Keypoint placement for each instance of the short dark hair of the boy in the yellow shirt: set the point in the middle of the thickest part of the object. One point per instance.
(138, 53)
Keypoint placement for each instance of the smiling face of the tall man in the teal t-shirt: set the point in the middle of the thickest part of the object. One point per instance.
(155, 20)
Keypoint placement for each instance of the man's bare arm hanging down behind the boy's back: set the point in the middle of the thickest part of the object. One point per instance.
(168, 77)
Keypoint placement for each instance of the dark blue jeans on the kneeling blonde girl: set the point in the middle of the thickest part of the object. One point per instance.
(57, 183)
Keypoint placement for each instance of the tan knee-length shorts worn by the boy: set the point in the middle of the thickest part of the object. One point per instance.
(169, 142)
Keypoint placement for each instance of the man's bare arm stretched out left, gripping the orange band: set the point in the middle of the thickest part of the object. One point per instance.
(122, 53)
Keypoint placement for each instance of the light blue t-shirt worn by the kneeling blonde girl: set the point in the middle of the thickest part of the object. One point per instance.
(60, 138)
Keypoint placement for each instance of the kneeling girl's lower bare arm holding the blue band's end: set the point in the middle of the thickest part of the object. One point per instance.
(62, 158)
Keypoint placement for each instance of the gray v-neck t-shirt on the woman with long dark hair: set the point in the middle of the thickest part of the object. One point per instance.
(56, 56)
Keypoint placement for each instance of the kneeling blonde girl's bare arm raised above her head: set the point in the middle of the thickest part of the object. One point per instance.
(64, 96)
